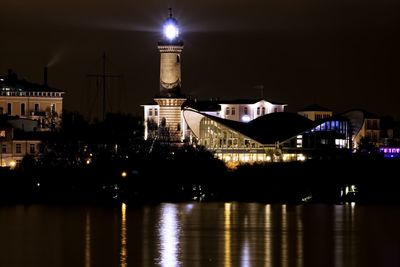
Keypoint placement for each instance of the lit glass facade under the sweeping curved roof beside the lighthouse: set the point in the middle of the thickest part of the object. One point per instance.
(243, 143)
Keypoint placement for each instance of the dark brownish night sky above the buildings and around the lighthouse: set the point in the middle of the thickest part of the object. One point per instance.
(339, 54)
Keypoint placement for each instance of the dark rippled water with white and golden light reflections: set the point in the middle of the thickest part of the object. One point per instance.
(200, 234)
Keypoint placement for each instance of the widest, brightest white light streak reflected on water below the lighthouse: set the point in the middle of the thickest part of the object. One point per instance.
(168, 230)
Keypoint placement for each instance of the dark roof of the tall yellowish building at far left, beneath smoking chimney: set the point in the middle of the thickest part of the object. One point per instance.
(12, 82)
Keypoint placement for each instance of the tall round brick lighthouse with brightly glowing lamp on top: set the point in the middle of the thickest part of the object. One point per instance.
(166, 112)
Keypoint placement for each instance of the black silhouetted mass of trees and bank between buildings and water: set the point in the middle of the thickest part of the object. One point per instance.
(110, 161)
